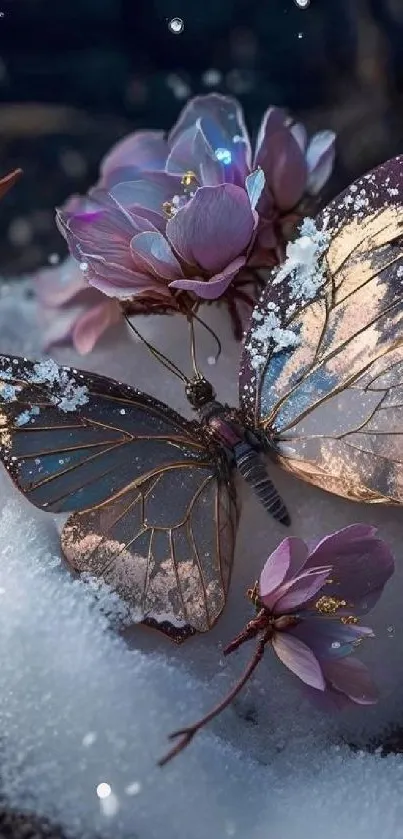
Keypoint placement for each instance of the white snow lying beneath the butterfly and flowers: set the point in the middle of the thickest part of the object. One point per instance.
(81, 705)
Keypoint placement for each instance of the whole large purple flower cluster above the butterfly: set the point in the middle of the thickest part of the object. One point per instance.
(190, 212)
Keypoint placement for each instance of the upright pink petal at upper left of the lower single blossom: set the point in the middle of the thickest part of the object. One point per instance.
(290, 552)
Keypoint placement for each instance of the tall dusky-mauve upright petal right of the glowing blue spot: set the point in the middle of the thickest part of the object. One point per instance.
(282, 160)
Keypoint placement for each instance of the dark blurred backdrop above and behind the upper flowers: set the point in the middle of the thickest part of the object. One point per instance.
(77, 74)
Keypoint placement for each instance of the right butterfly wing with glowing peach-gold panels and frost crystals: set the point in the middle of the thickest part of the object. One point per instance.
(322, 369)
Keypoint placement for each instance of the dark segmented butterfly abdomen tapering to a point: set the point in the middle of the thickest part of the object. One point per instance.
(253, 471)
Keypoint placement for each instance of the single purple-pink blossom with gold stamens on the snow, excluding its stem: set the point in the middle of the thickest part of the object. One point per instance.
(313, 599)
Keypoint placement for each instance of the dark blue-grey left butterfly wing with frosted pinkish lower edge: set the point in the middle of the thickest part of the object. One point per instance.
(153, 514)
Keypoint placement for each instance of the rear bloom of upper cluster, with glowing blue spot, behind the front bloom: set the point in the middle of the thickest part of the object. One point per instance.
(210, 138)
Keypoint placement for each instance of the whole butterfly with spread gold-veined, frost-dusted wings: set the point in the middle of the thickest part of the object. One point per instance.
(151, 495)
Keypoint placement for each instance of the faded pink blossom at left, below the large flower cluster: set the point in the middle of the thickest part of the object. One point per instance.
(71, 311)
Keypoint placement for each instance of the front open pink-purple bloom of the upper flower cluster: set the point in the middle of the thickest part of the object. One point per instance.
(160, 234)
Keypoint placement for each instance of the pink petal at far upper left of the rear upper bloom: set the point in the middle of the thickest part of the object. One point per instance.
(145, 149)
